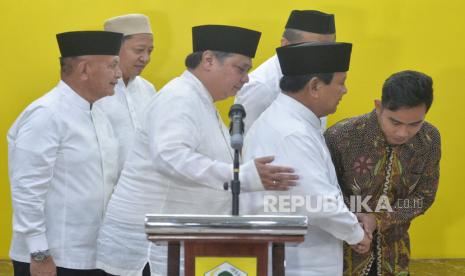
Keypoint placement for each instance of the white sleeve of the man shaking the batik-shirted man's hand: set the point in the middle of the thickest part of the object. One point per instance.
(314, 184)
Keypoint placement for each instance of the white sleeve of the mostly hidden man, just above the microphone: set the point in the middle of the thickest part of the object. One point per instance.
(255, 96)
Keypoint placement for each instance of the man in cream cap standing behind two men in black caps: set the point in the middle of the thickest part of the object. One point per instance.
(132, 92)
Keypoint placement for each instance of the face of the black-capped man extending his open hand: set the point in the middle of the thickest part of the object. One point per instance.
(230, 75)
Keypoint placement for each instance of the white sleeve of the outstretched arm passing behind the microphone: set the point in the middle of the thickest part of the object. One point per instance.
(174, 138)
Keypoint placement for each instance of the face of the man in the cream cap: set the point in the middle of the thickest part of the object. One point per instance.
(135, 54)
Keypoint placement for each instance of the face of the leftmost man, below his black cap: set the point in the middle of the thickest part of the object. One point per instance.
(104, 73)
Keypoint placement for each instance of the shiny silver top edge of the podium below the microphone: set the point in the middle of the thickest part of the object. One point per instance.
(156, 224)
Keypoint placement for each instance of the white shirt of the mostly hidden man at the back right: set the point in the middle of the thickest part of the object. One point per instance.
(261, 90)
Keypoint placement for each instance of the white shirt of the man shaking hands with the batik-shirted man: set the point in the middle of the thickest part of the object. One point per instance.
(291, 132)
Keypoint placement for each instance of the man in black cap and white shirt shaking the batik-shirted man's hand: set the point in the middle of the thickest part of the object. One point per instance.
(312, 86)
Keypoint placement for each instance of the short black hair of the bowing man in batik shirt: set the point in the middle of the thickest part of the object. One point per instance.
(407, 89)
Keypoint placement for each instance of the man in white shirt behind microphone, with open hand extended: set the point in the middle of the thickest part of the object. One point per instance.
(182, 157)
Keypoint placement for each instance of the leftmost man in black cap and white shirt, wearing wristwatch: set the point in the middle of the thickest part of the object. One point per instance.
(62, 162)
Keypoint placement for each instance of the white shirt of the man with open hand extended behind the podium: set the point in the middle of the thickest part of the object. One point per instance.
(179, 163)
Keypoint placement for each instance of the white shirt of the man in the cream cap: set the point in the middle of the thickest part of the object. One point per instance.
(124, 110)
